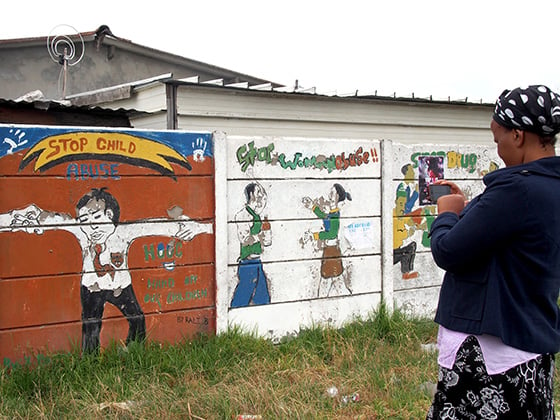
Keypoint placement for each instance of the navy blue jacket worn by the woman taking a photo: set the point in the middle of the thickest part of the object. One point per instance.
(502, 259)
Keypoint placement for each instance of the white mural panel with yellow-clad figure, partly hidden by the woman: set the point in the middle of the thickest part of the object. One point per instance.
(416, 167)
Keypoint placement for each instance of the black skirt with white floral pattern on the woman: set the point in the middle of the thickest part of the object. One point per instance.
(467, 391)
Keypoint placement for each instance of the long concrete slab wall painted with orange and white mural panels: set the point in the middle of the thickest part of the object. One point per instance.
(273, 246)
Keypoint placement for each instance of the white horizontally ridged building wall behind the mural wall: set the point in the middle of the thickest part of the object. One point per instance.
(247, 112)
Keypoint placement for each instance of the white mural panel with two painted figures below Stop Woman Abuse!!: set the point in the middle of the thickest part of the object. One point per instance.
(303, 226)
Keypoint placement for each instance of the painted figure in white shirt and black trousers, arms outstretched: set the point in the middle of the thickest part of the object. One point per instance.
(105, 244)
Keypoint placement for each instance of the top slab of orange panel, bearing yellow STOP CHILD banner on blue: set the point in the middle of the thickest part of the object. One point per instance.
(81, 143)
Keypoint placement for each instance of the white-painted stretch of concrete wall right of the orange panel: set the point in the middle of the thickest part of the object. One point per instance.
(309, 223)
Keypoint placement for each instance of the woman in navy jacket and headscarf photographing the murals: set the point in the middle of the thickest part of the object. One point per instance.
(498, 313)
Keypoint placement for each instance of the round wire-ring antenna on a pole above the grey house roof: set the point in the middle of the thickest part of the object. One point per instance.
(63, 51)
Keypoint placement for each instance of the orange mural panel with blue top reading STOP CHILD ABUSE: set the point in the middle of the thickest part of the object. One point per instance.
(103, 231)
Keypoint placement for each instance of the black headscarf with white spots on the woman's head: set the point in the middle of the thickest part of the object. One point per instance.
(535, 109)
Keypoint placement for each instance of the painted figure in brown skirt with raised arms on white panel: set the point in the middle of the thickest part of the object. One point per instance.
(332, 268)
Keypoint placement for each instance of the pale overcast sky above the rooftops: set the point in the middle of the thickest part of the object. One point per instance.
(443, 48)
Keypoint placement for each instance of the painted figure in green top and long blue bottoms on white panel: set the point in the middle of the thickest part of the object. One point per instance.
(254, 234)
